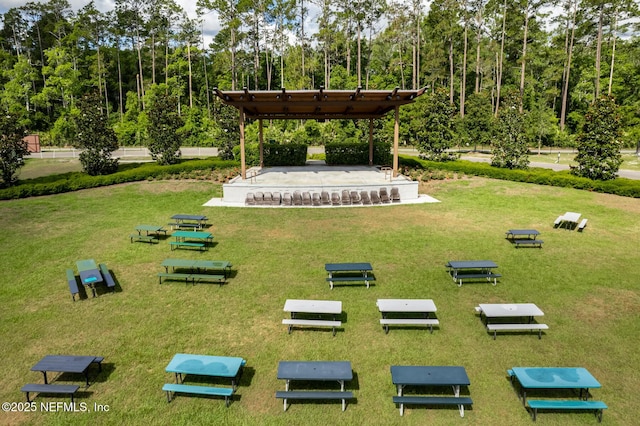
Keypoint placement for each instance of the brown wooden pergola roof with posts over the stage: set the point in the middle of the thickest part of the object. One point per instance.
(318, 105)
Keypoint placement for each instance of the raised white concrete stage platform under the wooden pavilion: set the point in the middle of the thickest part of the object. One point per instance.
(316, 177)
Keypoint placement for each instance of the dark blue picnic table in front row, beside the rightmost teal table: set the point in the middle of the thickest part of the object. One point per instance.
(430, 376)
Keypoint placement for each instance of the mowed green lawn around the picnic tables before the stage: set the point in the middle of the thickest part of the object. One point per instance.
(586, 283)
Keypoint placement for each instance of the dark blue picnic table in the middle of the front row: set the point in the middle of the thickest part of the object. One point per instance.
(315, 371)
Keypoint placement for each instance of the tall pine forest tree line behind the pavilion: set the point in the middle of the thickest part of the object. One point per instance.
(556, 56)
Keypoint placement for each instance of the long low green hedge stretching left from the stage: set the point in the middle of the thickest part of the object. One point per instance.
(76, 181)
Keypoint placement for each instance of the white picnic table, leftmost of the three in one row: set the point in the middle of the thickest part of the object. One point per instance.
(312, 312)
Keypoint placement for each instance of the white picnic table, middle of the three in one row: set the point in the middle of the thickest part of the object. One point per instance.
(399, 308)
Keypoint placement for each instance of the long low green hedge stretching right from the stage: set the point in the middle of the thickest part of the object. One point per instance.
(619, 186)
